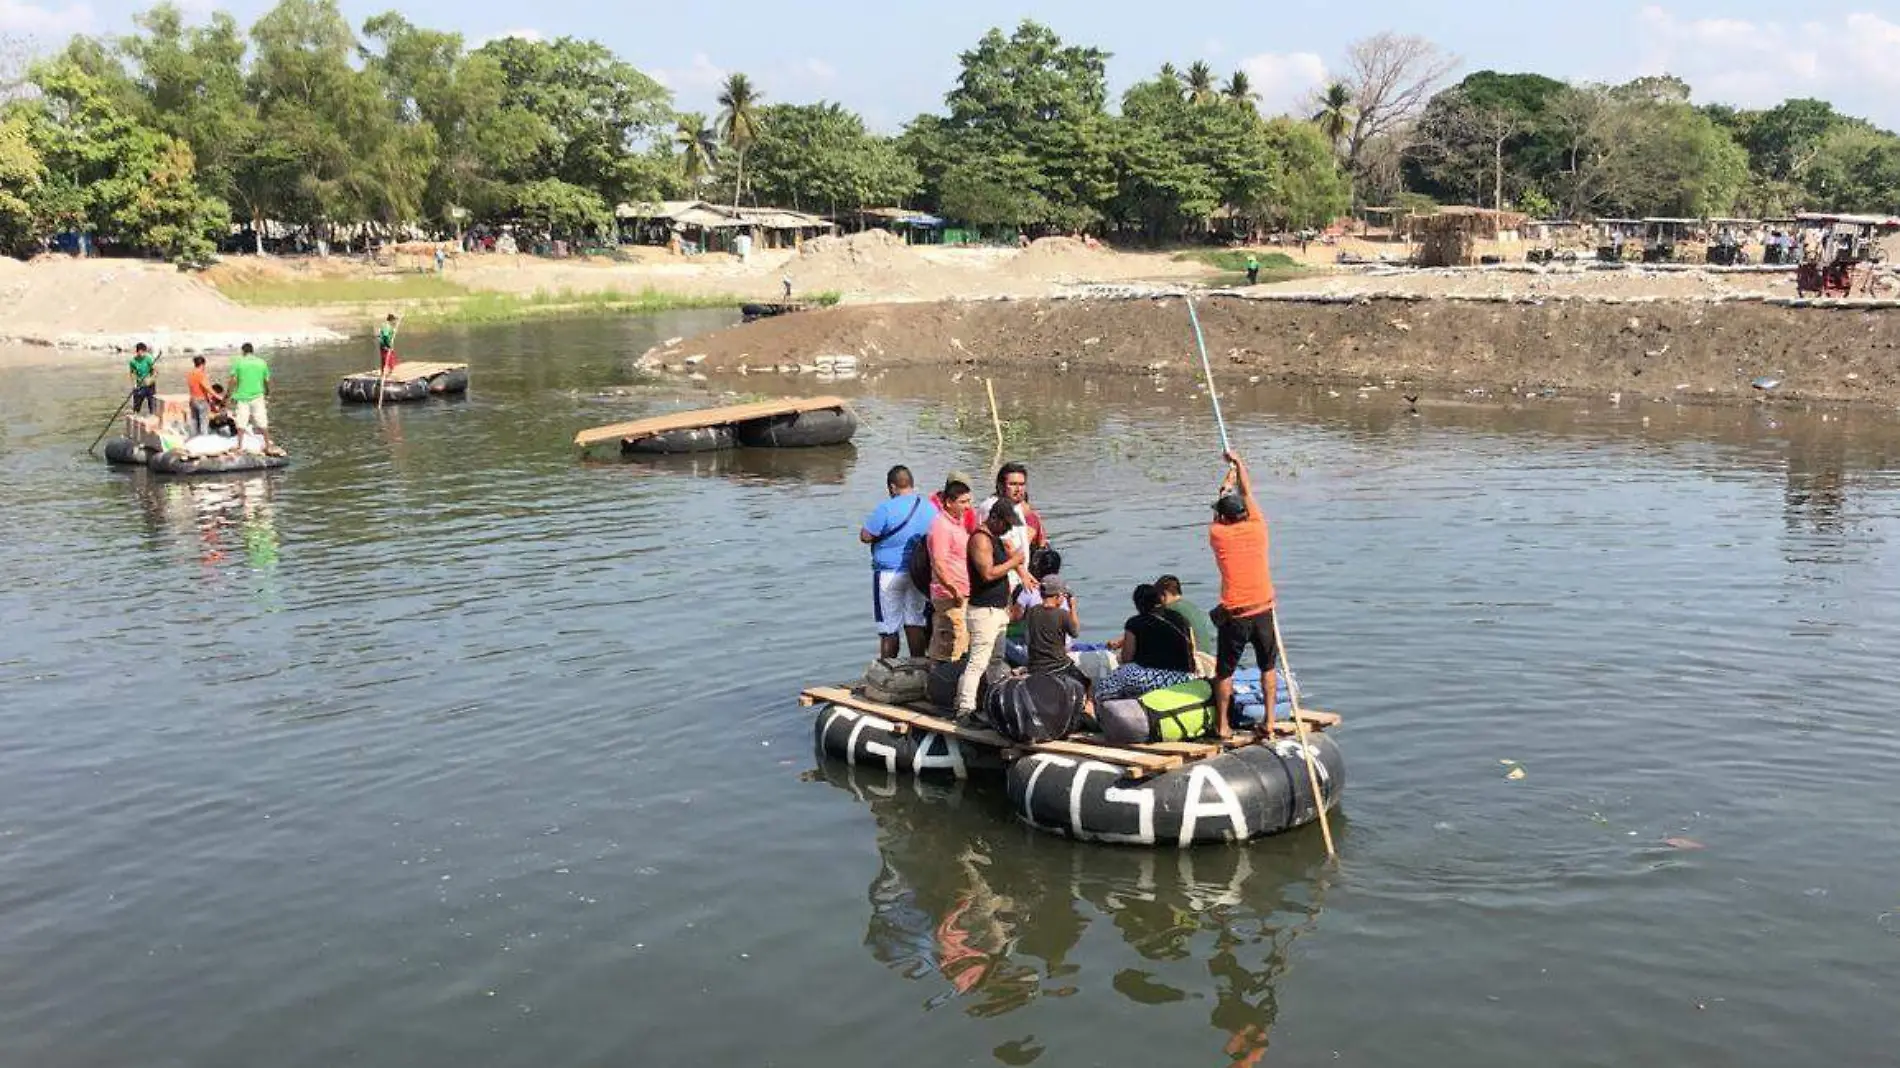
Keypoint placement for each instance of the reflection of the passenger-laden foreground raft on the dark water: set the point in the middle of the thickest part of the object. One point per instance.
(991, 915)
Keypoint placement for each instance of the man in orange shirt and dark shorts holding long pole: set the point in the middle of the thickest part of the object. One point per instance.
(1245, 615)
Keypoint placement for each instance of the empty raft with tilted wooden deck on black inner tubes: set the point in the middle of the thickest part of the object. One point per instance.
(788, 423)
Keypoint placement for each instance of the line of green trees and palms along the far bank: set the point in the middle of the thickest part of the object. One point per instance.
(168, 138)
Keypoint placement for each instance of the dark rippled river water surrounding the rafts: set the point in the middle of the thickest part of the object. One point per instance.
(447, 748)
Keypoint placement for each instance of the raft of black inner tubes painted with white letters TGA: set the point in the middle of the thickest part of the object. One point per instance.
(1164, 793)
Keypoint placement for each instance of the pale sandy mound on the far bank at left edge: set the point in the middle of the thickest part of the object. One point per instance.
(113, 305)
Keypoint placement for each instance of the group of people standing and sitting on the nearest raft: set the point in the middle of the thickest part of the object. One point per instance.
(962, 581)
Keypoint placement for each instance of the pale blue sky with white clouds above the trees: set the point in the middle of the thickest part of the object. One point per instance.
(892, 62)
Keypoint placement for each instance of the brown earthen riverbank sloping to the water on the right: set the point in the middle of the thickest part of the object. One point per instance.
(1658, 351)
